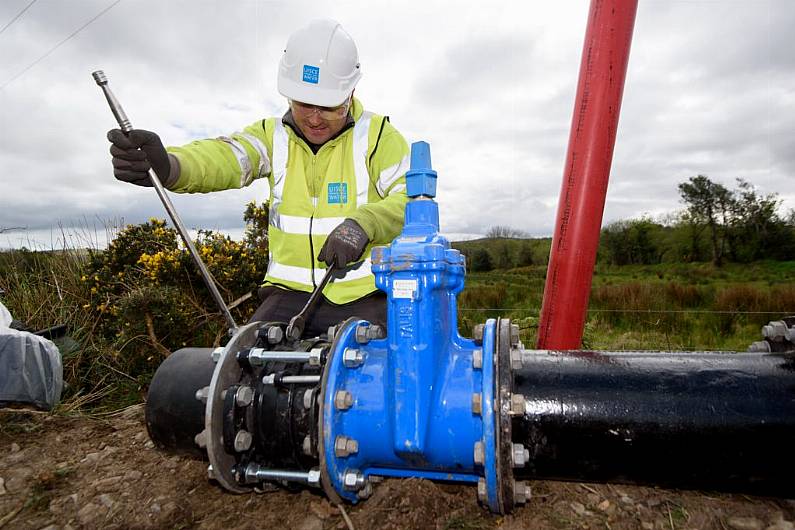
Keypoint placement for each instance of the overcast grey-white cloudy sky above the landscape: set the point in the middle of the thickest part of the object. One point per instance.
(710, 90)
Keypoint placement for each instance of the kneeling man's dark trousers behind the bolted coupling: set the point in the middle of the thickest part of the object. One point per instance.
(280, 305)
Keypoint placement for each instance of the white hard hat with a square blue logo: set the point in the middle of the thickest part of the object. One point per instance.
(320, 65)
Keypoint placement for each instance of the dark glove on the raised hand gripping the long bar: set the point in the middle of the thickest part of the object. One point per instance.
(136, 153)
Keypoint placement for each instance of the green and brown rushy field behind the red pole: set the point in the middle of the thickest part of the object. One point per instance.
(692, 306)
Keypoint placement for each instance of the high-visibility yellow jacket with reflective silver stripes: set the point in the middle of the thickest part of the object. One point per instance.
(360, 175)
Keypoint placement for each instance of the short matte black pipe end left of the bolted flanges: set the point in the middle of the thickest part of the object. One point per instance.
(173, 414)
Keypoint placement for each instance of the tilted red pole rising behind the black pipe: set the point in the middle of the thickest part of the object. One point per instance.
(603, 68)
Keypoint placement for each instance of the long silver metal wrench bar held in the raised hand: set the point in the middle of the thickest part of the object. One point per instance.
(126, 127)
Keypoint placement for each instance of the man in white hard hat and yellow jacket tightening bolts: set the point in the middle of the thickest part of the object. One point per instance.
(336, 175)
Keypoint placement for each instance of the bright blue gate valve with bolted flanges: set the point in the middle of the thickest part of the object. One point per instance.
(420, 402)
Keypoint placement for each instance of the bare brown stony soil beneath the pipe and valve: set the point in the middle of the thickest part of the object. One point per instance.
(60, 472)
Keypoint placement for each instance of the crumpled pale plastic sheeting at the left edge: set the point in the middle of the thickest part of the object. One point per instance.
(30, 367)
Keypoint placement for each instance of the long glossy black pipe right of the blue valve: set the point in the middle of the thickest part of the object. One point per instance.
(714, 421)
